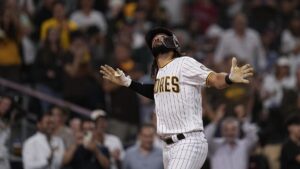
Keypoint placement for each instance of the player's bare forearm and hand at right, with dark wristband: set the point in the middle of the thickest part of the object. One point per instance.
(236, 75)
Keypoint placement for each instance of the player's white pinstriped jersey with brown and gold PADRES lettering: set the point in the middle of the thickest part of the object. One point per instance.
(177, 94)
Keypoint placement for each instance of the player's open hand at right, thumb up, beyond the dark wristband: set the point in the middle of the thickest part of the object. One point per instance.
(240, 74)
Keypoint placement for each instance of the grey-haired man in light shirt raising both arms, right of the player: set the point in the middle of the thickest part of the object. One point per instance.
(230, 151)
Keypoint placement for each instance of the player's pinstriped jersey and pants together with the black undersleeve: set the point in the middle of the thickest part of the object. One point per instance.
(178, 106)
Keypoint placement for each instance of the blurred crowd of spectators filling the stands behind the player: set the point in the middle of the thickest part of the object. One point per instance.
(57, 47)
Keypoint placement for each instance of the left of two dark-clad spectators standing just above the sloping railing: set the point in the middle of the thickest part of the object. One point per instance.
(48, 66)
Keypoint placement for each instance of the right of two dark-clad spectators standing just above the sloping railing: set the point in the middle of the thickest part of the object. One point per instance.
(77, 68)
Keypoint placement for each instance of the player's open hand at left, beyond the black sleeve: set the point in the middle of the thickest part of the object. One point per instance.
(115, 76)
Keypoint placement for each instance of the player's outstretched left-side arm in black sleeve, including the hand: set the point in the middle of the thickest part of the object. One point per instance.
(118, 77)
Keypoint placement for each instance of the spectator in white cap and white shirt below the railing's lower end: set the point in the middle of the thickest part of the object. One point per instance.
(112, 142)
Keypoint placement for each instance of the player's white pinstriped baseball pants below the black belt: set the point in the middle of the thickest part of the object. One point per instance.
(189, 153)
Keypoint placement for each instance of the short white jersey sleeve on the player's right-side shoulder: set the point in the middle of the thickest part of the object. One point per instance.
(194, 73)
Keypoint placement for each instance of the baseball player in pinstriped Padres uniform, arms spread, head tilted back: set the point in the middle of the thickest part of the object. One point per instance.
(177, 96)
